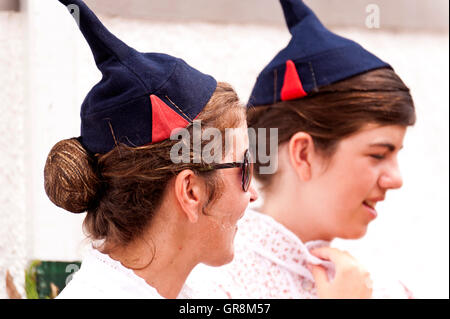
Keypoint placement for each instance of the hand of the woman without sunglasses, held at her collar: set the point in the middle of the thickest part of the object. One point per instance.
(351, 281)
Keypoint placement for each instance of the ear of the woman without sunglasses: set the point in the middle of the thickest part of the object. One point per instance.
(301, 152)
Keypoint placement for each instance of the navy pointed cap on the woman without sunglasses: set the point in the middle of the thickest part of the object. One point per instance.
(315, 57)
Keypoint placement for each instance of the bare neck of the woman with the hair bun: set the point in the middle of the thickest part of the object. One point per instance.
(160, 258)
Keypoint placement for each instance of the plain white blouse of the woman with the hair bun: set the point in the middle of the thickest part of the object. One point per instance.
(100, 276)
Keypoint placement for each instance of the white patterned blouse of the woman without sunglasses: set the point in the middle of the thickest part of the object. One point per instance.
(270, 262)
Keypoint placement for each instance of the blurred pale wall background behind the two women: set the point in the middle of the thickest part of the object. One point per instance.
(46, 70)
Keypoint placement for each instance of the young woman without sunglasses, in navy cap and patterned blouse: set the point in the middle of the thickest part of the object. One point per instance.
(341, 115)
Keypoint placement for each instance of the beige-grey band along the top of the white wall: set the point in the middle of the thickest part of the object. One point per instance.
(411, 14)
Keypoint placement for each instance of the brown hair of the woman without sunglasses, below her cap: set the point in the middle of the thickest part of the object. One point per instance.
(337, 111)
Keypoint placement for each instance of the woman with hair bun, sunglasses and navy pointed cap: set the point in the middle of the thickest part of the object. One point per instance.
(152, 218)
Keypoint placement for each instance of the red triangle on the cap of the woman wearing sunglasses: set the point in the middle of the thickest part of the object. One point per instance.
(164, 120)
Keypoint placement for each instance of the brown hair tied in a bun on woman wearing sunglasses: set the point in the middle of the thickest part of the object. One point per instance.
(122, 189)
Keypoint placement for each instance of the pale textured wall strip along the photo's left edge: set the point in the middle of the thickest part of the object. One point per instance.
(13, 217)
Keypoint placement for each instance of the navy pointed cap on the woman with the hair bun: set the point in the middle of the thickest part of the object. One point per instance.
(141, 97)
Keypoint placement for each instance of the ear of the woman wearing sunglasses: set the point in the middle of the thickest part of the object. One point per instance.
(189, 192)
